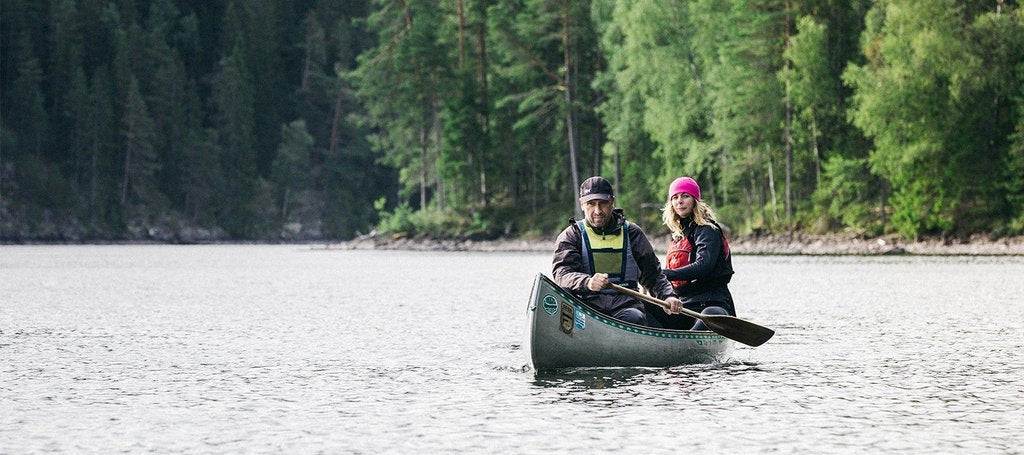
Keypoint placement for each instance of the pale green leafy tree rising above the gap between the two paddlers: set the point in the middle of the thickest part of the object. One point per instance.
(658, 109)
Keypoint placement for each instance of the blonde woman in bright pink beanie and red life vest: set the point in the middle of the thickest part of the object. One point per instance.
(699, 262)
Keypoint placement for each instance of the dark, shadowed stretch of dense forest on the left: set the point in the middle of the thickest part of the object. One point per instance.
(130, 119)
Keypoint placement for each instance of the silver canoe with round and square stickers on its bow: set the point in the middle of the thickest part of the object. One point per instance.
(565, 333)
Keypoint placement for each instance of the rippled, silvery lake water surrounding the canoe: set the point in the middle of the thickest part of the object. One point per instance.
(303, 350)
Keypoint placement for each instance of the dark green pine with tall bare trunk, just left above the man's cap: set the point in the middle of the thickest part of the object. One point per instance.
(545, 63)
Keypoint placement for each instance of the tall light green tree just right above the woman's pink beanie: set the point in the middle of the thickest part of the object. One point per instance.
(742, 46)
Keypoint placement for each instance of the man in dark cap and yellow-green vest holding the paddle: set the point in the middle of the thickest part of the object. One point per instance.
(606, 249)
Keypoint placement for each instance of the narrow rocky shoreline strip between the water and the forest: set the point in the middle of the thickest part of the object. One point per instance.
(798, 244)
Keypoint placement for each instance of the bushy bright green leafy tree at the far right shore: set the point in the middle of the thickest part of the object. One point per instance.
(927, 98)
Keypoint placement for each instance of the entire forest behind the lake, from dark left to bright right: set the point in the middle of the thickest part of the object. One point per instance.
(326, 119)
